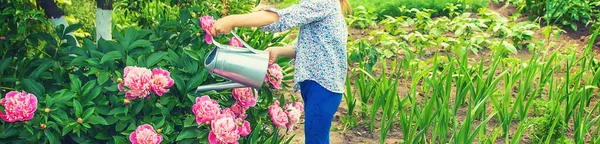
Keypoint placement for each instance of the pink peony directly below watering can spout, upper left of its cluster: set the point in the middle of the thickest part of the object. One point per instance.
(205, 109)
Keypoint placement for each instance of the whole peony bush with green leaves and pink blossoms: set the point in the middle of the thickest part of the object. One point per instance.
(138, 87)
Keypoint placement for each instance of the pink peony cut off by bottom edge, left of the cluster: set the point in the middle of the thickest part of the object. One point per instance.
(145, 134)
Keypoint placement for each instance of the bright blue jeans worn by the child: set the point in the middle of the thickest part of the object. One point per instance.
(320, 105)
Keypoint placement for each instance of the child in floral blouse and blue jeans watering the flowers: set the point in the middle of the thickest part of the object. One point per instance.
(320, 55)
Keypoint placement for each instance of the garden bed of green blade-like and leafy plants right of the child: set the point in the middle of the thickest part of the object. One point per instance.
(470, 78)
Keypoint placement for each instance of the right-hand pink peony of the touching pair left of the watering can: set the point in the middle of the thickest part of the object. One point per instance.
(161, 81)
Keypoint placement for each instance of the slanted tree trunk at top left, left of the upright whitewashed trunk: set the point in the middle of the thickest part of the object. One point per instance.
(56, 16)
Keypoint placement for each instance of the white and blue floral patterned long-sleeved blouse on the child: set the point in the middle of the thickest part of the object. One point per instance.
(321, 46)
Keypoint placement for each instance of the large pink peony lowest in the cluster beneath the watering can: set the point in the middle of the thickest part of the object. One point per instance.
(224, 130)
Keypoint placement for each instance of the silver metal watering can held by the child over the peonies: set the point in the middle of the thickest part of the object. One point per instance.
(243, 67)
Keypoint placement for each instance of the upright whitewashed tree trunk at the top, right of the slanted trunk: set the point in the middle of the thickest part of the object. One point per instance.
(104, 19)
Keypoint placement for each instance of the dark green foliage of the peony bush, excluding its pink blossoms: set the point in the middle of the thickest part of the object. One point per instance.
(77, 87)
